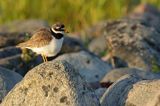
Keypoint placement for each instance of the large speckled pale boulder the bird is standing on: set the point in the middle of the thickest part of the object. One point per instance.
(54, 83)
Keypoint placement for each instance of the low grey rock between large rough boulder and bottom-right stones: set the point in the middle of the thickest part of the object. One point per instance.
(115, 74)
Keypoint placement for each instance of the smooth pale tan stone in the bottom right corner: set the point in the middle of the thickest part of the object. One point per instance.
(144, 93)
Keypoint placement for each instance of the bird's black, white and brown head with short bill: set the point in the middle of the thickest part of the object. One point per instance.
(58, 28)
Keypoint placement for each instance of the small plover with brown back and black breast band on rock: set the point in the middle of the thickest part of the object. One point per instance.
(46, 41)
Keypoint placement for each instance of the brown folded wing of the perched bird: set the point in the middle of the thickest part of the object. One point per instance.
(40, 38)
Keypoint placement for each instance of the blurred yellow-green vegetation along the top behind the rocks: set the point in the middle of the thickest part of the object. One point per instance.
(76, 14)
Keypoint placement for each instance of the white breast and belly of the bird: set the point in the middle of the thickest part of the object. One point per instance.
(50, 50)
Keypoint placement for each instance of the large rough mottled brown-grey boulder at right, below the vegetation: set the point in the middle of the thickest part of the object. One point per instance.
(133, 37)
